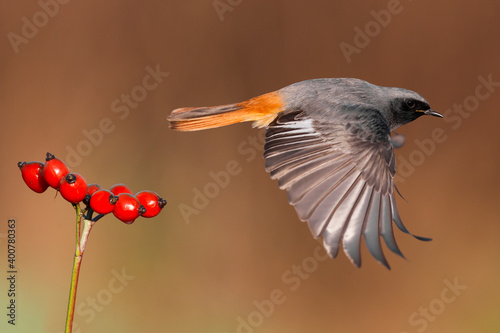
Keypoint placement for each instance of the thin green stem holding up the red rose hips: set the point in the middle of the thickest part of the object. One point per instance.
(82, 235)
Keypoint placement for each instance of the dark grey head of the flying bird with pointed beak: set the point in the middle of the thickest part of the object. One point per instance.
(406, 106)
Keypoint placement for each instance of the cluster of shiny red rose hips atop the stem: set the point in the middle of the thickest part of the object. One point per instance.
(118, 200)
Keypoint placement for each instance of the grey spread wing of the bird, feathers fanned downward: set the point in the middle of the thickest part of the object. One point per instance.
(338, 174)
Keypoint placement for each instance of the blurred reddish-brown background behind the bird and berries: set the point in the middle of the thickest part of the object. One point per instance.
(61, 81)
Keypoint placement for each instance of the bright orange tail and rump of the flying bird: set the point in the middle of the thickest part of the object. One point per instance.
(262, 110)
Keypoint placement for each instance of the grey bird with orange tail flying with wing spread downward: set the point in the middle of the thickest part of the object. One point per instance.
(328, 143)
